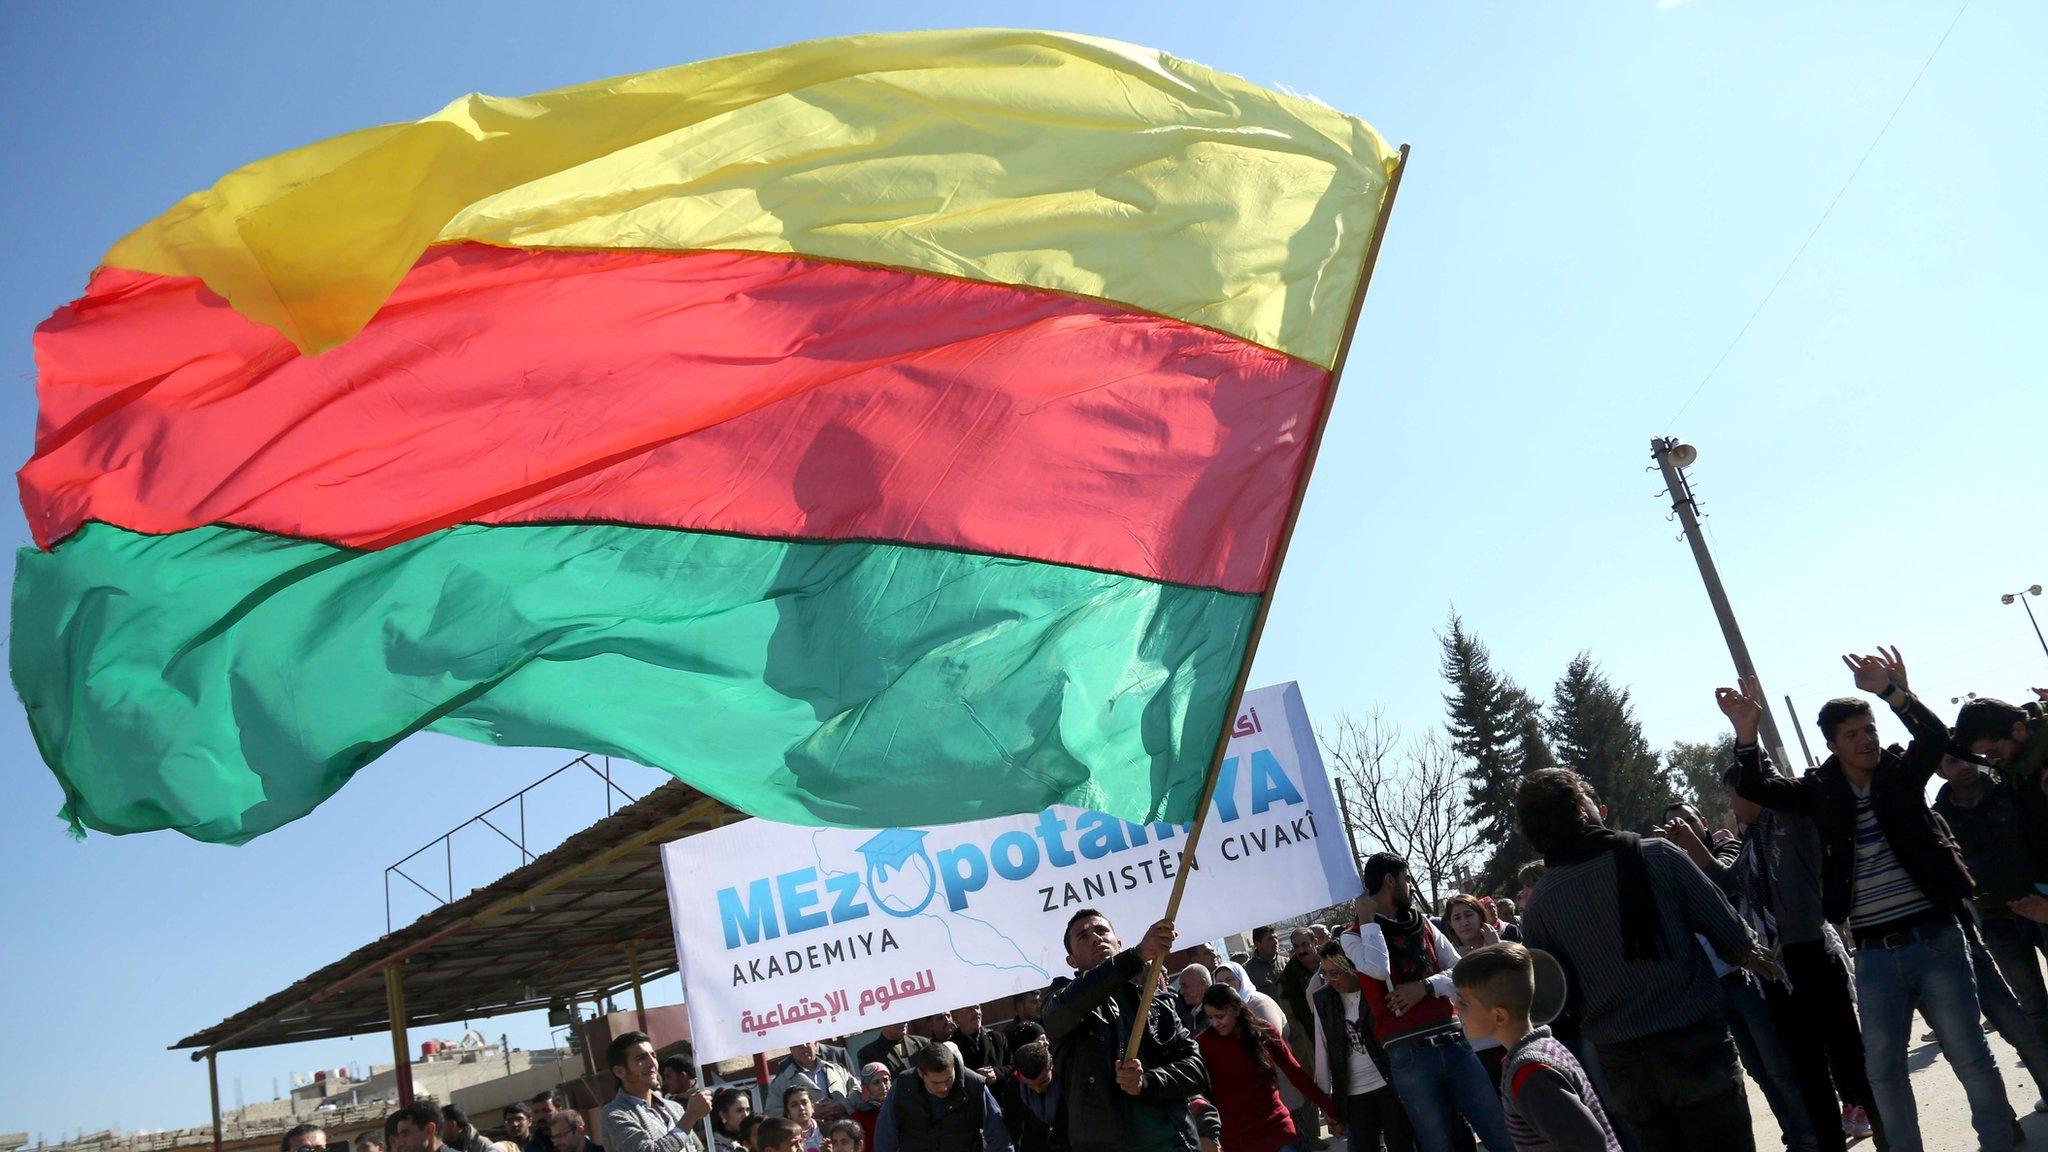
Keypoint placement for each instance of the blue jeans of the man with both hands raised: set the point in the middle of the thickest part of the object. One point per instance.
(1932, 971)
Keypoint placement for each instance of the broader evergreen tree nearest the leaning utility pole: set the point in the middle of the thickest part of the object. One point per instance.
(1594, 731)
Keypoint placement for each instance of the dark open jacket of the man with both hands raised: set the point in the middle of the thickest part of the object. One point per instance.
(1900, 800)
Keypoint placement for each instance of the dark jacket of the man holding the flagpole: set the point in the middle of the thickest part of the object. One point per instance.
(1086, 1024)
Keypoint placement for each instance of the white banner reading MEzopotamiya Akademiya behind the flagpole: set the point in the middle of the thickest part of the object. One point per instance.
(792, 934)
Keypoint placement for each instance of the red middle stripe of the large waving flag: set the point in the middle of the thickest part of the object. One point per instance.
(706, 390)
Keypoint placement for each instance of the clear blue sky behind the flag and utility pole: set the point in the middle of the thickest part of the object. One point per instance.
(1598, 200)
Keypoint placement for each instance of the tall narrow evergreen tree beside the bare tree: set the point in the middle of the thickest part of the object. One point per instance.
(1498, 733)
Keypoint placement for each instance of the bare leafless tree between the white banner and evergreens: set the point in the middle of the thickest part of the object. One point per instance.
(1406, 796)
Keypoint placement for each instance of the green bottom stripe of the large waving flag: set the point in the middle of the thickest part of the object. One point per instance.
(224, 682)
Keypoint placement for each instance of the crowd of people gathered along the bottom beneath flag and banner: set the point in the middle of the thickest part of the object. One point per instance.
(1613, 1003)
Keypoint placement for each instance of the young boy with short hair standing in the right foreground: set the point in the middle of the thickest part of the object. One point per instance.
(1545, 1092)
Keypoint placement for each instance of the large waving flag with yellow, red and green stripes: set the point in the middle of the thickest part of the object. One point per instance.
(873, 431)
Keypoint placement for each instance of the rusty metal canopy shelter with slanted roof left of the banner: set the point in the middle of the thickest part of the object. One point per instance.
(585, 919)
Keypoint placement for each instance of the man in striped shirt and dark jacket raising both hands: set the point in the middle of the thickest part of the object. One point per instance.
(1897, 878)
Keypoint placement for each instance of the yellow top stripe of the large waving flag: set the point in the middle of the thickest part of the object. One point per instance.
(1013, 157)
